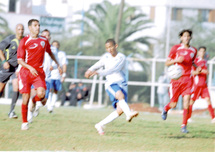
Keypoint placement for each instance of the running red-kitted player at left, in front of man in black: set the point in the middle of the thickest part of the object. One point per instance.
(30, 56)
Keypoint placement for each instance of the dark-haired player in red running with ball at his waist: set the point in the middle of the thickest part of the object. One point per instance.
(182, 54)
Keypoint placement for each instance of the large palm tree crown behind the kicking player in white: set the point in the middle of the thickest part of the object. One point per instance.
(100, 23)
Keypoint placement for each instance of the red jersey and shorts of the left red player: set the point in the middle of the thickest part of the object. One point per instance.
(32, 51)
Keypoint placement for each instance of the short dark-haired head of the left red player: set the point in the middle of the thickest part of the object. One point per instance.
(34, 27)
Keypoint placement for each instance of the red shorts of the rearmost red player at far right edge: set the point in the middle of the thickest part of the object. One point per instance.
(200, 91)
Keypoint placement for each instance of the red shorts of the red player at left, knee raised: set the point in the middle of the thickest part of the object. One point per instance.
(26, 80)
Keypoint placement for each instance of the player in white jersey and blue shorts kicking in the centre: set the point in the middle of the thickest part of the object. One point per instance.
(116, 85)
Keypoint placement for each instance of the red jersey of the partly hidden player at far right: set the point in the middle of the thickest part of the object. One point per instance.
(200, 79)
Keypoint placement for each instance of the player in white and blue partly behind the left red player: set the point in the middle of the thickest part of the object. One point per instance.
(56, 78)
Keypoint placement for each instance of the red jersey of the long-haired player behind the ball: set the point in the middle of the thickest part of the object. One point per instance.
(189, 55)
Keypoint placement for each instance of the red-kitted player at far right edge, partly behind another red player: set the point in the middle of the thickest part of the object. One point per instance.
(200, 87)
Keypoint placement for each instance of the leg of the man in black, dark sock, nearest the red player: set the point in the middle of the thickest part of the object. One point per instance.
(15, 97)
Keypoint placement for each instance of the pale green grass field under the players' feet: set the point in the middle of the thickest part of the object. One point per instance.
(72, 129)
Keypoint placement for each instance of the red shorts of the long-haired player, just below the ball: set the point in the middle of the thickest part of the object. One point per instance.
(182, 86)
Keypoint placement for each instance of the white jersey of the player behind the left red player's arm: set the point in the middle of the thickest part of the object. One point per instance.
(61, 58)
